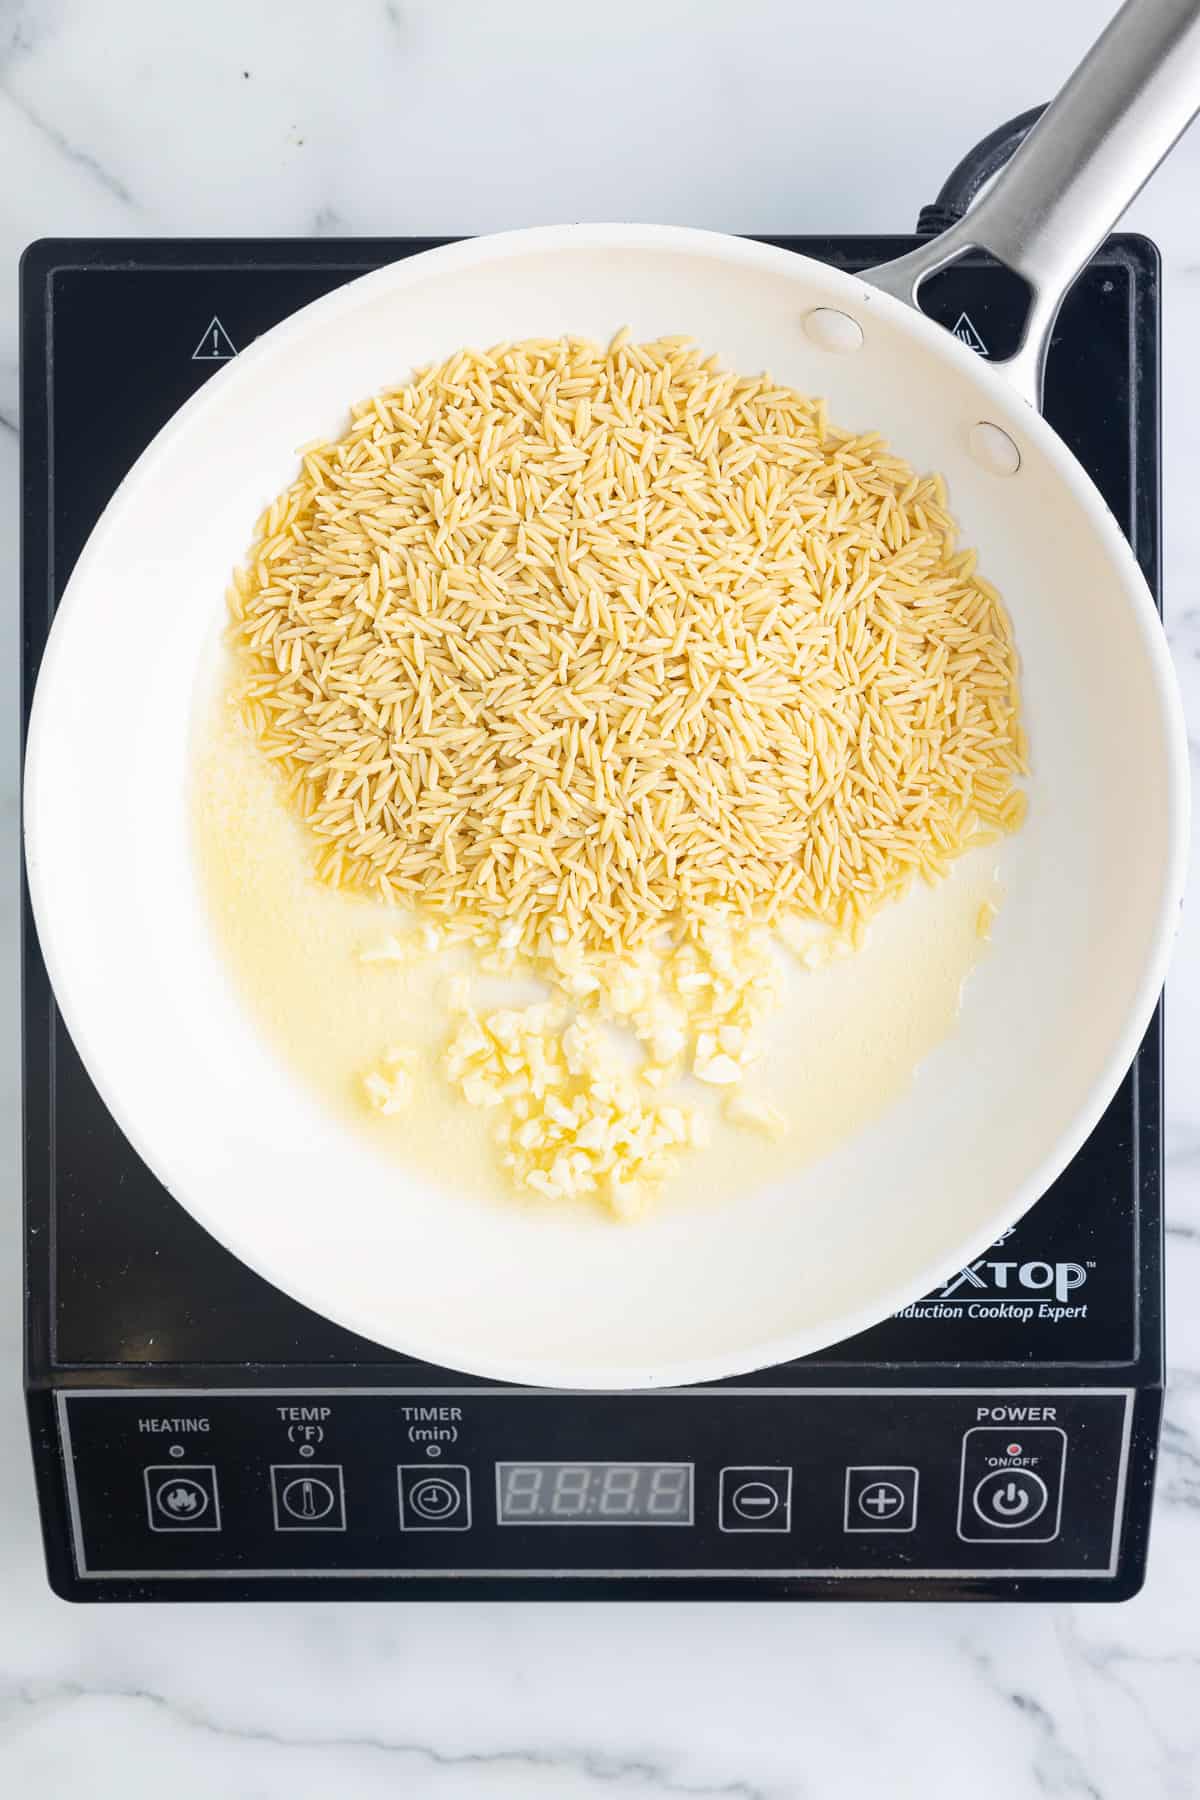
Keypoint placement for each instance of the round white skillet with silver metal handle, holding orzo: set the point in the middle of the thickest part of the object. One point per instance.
(1053, 1016)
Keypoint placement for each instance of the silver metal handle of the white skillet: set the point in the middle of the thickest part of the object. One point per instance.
(1075, 175)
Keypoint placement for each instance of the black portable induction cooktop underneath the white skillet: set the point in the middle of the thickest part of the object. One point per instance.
(201, 1435)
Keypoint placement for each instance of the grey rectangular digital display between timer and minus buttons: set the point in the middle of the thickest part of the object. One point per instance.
(595, 1493)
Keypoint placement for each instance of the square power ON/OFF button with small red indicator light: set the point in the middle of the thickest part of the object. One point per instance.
(1012, 1484)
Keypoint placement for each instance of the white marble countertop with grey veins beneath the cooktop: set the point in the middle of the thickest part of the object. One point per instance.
(244, 116)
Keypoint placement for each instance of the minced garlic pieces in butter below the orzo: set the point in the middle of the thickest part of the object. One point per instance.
(573, 1119)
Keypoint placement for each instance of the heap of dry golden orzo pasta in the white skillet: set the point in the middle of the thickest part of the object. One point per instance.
(614, 638)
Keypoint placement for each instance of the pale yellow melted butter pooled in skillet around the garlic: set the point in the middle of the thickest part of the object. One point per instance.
(845, 1045)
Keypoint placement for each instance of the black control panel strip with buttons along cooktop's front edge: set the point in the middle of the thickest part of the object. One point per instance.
(524, 1484)
